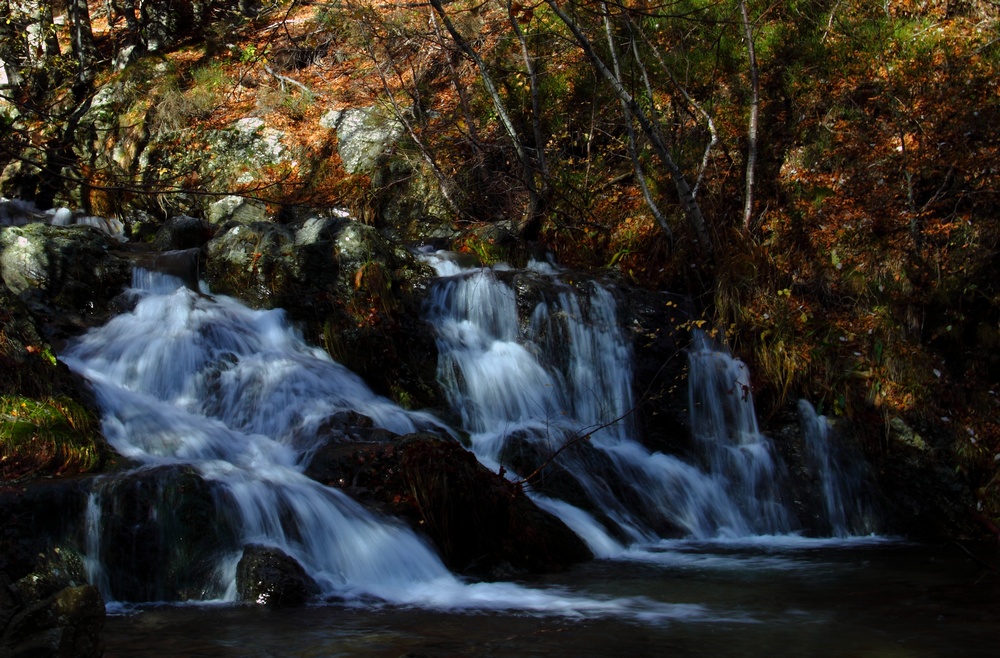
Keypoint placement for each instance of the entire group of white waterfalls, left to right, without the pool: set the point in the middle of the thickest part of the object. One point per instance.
(219, 408)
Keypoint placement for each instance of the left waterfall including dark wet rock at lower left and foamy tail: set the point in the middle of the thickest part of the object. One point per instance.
(219, 407)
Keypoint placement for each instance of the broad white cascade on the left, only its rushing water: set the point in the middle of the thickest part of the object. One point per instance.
(186, 378)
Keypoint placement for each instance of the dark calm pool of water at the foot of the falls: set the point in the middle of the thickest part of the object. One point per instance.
(880, 599)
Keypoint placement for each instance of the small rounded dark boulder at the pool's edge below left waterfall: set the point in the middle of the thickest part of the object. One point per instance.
(267, 576)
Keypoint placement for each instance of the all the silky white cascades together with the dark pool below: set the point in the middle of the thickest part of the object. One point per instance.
(187, 378)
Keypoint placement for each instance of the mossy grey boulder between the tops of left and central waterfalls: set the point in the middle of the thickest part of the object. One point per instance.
(346, 286)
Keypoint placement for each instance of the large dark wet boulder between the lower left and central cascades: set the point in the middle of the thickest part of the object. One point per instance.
(481, 523)
